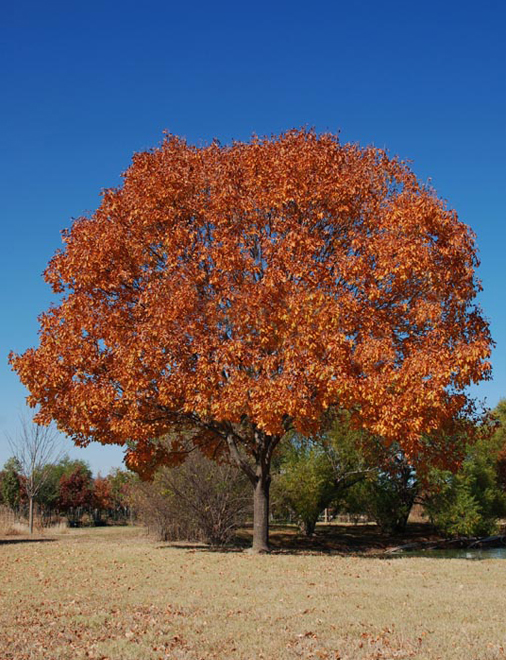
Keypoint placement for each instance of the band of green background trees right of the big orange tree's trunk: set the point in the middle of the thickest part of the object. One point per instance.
(349, 472)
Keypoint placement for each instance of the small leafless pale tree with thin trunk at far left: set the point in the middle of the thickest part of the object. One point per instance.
(36, 448)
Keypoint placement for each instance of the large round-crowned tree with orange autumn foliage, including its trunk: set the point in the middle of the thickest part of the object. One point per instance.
(224, 295)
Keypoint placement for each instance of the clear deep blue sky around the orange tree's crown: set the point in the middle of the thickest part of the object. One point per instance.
(84, 85)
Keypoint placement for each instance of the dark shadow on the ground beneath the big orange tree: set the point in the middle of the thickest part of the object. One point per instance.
(337, 539)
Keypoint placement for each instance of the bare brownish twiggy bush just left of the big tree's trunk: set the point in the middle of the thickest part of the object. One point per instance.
(199, 500)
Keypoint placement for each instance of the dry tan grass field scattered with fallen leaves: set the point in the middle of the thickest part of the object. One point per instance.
(112, 593)
